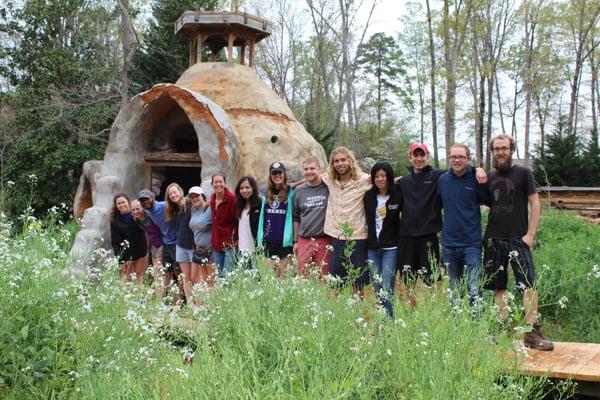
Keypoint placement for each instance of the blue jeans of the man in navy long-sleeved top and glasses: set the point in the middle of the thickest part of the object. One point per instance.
(464, 267)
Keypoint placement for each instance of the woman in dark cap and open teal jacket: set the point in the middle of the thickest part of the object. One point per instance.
(275, 225)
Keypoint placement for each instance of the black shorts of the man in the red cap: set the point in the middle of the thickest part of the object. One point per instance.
(416, 254)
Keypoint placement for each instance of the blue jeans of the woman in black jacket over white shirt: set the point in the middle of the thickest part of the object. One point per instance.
(382, 265)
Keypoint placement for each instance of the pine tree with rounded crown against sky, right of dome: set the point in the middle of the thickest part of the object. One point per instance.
(382, 58)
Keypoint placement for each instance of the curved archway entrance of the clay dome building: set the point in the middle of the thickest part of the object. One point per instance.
(179, 124)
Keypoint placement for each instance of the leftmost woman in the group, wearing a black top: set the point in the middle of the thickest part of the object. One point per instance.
(127, 239)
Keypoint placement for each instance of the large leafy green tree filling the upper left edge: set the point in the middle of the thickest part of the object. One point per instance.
(64, 72)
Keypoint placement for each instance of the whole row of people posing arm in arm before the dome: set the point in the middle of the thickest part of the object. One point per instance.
(350, 225)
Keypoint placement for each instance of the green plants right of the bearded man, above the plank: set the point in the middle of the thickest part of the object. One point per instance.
(567, 258)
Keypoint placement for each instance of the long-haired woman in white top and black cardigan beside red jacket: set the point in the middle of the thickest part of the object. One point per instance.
(248, 207)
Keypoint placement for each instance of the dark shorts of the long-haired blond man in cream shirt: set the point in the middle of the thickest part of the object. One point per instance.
(358, 261)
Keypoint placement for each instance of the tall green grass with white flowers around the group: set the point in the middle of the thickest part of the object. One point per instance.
(261, 337)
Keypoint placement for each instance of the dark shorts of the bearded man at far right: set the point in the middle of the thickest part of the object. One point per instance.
(499, 255)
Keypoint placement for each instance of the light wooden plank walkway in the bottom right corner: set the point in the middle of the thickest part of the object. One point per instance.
(577, 361)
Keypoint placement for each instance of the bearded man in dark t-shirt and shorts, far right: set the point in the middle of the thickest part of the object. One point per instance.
(510, 235)
